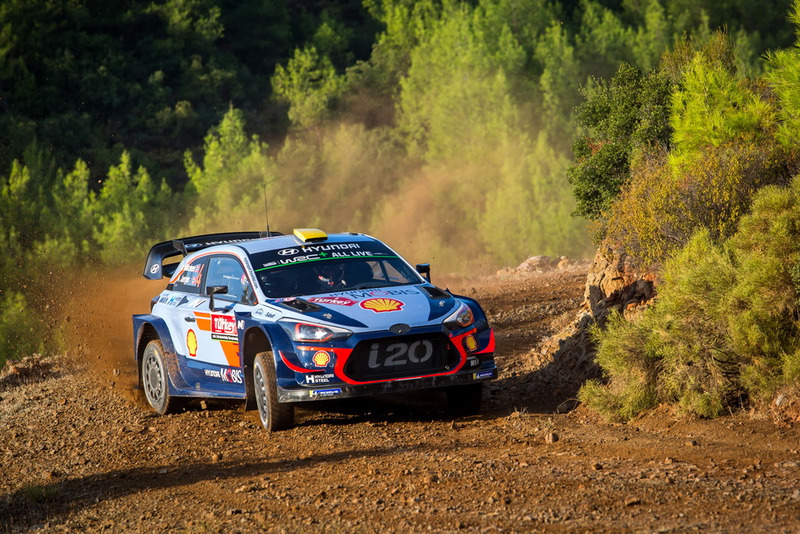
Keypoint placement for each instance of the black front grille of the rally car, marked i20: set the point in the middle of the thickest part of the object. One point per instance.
(400, 357)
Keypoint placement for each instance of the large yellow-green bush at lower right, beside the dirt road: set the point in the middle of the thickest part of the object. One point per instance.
(724, 327)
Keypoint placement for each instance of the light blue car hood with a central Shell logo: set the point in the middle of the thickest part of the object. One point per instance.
(376, 308)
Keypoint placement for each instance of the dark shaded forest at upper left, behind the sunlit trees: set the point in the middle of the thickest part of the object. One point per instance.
(84, 76)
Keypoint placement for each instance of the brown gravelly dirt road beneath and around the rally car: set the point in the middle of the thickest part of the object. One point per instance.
(81, 452)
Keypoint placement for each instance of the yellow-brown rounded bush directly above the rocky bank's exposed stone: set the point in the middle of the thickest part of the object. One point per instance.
(662, 208)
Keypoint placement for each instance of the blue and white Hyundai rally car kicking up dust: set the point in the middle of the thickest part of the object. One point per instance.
(277, 320)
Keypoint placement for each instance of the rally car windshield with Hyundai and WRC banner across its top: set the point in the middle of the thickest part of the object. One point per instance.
(314, 270)
